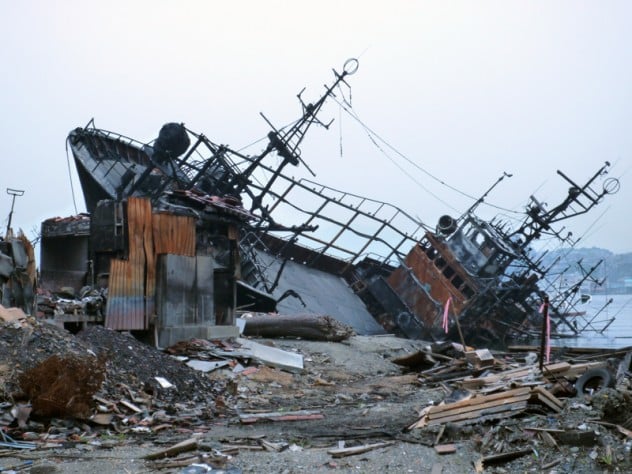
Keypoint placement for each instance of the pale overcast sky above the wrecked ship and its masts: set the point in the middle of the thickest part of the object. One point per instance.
(466, 90)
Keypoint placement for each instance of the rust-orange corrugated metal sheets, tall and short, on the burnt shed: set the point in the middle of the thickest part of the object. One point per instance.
(132, 282)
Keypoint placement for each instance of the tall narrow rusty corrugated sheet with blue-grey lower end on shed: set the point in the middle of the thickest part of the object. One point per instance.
(126, 292)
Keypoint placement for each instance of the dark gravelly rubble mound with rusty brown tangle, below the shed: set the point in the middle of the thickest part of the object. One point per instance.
(64, 375)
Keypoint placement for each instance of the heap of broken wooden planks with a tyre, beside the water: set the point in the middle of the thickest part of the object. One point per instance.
(572, 415)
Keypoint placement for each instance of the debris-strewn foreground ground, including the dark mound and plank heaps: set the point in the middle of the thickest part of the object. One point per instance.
(248, 401)
